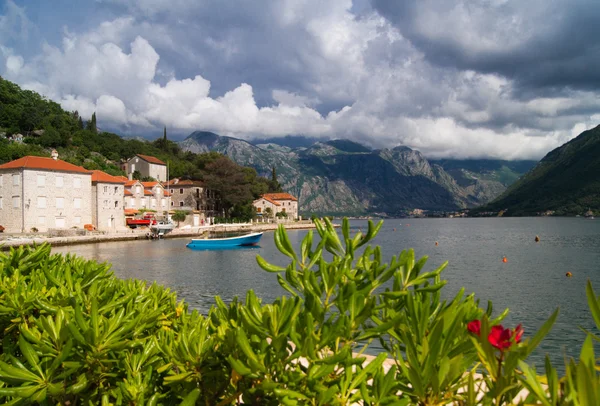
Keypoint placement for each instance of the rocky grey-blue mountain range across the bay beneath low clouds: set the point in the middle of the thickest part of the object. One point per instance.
(342, 177)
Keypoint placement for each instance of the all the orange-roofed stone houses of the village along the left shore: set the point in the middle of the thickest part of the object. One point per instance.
(38, 194)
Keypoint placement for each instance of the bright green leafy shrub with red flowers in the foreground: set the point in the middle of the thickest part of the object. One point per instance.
(75, 334)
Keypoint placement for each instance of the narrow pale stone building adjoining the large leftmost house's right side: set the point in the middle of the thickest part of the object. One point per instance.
(107, 201)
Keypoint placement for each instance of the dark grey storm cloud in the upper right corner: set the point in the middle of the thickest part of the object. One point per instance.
(539, 44)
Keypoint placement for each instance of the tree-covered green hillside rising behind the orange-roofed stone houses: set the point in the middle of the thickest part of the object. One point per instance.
(45, 125)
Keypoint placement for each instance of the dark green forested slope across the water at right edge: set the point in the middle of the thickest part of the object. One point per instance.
(566, 181)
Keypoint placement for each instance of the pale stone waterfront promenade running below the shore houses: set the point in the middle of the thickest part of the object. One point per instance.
(14, 240)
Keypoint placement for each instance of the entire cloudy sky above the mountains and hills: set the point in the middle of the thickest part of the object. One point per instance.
(507, 79)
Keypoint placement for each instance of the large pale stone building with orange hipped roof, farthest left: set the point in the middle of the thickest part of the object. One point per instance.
(44, 193)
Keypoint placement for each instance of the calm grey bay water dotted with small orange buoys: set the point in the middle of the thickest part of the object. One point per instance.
(531, 284)
